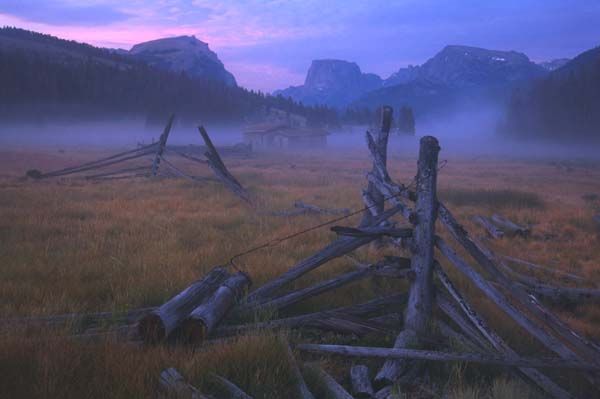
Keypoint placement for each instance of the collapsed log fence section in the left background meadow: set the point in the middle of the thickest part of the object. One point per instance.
(126, 165)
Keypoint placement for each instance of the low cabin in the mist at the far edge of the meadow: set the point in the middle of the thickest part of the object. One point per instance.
(282, 129)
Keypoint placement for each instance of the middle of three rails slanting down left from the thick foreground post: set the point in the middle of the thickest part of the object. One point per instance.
(308, 292)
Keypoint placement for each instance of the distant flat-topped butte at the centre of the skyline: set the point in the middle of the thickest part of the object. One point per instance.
(332, 82)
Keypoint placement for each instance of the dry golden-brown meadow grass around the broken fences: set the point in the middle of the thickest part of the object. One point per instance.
(77, 246)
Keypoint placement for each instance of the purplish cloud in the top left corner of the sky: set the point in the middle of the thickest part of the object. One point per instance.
(57, 12)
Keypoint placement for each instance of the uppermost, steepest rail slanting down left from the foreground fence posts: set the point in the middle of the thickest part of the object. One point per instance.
(338, 248)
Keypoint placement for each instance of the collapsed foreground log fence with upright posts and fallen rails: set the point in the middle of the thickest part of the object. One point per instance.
(208, 308)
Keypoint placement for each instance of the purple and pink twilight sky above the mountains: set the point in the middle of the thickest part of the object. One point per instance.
(269, 44)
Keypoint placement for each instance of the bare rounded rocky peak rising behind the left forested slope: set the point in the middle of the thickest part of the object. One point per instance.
(183, 54)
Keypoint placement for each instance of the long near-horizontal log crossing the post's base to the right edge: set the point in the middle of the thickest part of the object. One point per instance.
(417, 354)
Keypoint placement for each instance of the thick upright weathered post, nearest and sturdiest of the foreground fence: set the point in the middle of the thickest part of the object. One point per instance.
(421, 294)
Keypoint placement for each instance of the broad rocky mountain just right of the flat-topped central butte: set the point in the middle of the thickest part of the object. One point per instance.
(457, 80)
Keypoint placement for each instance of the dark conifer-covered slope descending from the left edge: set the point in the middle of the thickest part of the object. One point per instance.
(46, 78)
